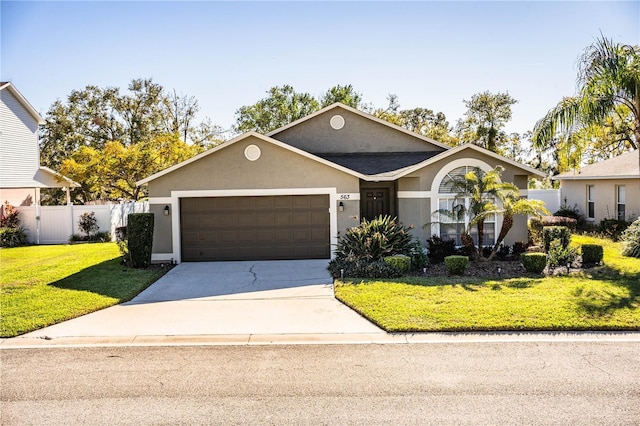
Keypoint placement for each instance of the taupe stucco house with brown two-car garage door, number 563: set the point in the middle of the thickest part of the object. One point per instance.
(291, 193)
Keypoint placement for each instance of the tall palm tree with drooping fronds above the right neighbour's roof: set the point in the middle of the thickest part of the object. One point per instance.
(608, 96)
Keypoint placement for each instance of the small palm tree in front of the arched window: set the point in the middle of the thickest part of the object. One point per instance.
(475, 200)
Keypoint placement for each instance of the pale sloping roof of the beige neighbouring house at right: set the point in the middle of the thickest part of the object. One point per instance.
(625, 166)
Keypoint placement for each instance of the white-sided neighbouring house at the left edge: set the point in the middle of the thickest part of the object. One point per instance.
(21, 176)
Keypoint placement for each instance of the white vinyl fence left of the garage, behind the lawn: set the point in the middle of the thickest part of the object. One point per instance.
(55, 224)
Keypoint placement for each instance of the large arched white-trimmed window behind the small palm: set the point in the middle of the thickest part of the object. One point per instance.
(452, 229)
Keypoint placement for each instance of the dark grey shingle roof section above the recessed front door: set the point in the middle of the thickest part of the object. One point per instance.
(378, 162)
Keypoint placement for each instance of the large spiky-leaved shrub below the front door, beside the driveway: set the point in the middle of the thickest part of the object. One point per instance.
(372, 240)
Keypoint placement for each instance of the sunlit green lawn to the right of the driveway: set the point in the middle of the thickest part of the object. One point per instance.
(603, 298)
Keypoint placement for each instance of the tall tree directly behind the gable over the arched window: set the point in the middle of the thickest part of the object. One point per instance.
(486, 115)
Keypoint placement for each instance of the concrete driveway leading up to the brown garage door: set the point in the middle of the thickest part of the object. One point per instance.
(228, 299)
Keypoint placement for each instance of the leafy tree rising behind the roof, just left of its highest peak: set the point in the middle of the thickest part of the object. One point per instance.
(282, 106)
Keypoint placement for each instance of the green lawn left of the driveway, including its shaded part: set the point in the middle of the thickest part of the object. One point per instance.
(44, 285)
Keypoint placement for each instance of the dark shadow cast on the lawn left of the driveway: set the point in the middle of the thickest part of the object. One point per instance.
(110, 279)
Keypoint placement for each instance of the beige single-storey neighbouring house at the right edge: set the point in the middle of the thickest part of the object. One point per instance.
(609, 189)
